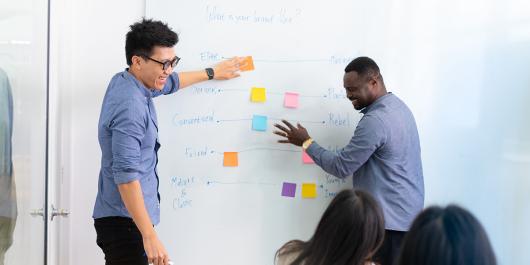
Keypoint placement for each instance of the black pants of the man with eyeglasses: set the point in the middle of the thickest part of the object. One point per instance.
(120, 240)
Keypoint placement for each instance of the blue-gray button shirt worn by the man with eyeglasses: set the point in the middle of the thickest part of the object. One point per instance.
(128, 138)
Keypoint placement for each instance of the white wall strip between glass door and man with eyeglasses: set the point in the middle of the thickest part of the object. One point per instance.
(88, 40)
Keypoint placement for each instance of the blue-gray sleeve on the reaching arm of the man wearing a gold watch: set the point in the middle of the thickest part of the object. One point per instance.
(369, 135)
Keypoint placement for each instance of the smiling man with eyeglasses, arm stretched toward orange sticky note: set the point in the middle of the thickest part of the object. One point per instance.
(128, 203)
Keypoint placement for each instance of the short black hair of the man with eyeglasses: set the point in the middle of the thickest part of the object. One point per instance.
(145, 35)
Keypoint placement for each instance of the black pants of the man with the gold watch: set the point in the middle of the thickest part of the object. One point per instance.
(389, 251)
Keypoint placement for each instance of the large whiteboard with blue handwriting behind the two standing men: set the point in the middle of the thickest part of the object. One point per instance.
(449, 61)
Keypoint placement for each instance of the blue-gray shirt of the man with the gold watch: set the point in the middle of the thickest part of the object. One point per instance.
(385, 159)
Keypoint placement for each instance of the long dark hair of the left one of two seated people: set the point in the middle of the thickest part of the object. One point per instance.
(349, 233)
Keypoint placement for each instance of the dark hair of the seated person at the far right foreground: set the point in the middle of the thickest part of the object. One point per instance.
(446, 236)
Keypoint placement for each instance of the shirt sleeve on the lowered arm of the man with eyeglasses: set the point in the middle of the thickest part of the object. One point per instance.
(128, 128)
